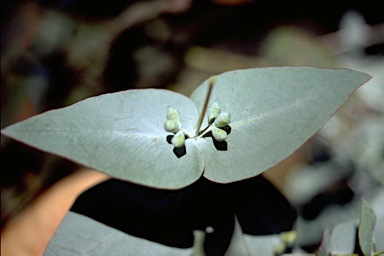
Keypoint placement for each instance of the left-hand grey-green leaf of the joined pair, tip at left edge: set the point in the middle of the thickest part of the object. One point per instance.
(121, 134)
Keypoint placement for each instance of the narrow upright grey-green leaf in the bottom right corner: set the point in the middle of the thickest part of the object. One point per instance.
(366, 226)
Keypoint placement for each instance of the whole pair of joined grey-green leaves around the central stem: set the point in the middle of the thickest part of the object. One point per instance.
(273, 111)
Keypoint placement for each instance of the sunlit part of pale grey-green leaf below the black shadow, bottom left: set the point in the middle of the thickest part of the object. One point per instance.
(80, 235)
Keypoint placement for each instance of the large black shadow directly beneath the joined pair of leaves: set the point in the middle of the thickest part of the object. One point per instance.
(169, 217)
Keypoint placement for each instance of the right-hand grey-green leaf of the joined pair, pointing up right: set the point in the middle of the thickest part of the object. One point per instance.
(274, 111)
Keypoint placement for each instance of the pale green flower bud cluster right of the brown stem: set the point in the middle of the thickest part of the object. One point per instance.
(218, 120)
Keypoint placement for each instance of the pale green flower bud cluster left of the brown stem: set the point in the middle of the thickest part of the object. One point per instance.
(173, 124)
